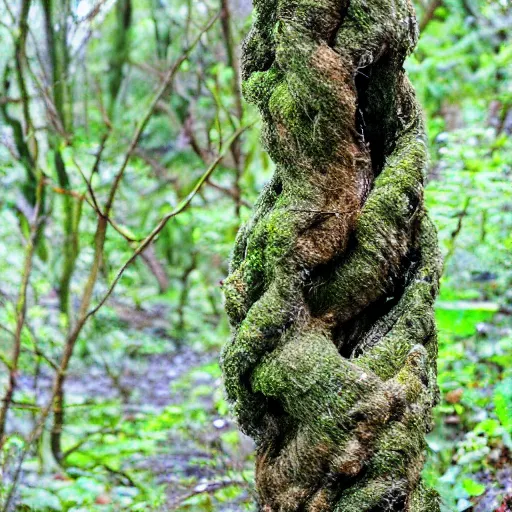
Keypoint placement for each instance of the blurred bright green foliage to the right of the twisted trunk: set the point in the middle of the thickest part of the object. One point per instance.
(462, 72)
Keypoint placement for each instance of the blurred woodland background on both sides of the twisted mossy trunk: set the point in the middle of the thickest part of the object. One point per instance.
(128, 161)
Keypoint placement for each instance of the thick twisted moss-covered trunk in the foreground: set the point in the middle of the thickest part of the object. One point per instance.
(332, 363)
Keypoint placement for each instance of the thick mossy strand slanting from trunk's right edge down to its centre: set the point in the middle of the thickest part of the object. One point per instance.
(389, 214)
